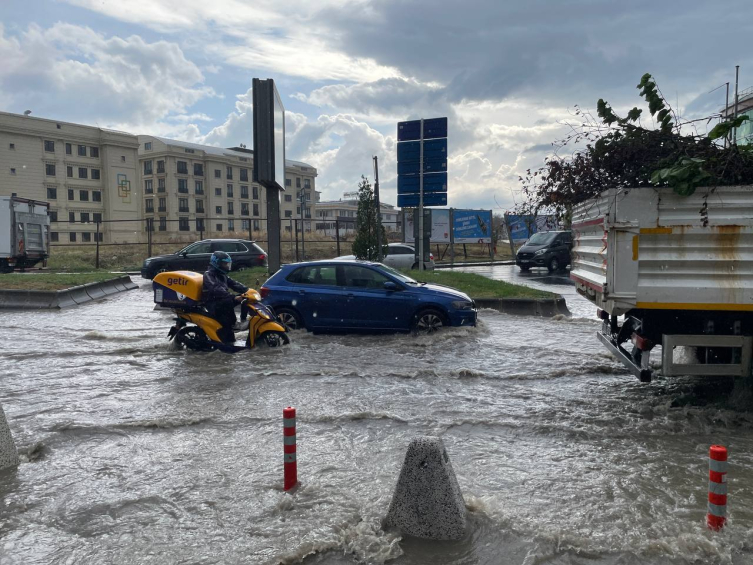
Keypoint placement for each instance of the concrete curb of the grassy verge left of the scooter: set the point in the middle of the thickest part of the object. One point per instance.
(56, 299)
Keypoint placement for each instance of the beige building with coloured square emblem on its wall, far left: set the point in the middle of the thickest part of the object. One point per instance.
(87, 174)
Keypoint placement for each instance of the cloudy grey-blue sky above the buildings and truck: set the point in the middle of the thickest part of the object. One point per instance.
(507, 73)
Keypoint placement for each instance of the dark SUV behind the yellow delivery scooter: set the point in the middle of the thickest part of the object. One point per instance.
(195, 257)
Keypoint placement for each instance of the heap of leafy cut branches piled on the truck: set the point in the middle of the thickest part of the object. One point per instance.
(622, 152)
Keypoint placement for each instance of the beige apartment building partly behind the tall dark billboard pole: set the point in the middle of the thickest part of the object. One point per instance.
(209, 191)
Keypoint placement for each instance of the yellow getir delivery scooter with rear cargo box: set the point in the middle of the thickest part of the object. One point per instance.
(195, 329)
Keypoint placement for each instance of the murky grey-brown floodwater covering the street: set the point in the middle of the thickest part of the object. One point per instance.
(137, 453)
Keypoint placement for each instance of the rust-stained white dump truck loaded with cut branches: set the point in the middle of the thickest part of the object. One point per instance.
(671, 271)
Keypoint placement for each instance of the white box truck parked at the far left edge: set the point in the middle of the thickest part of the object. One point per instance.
(24, 232)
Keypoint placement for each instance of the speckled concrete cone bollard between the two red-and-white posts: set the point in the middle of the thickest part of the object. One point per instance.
(427, 502)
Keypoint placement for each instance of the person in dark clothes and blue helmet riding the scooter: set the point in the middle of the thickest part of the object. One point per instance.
(218, 299)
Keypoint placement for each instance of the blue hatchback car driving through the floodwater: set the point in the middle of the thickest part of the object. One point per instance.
(334, 296)
